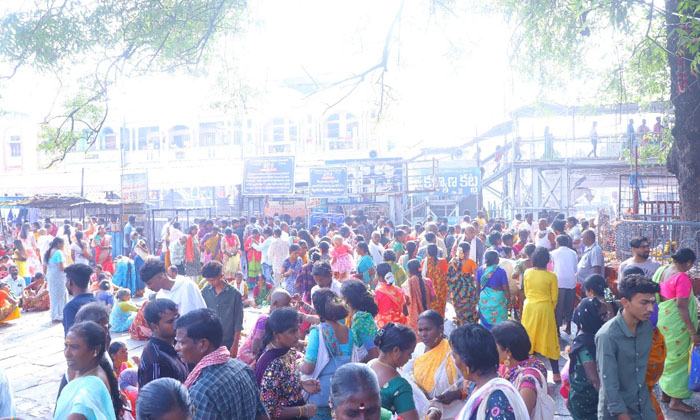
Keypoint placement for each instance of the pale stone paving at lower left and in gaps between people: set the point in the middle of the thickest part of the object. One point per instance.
(31, 354)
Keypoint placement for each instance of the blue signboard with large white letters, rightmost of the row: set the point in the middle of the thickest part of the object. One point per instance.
(454, 178)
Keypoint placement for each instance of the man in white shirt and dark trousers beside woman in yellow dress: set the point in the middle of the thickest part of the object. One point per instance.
(564, 262)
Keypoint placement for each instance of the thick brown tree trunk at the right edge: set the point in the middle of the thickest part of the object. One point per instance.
(684, 157)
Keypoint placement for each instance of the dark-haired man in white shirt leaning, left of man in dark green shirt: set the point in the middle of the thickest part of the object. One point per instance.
(181, 290)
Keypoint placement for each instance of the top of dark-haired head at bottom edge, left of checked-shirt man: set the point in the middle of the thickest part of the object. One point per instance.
(163, 399)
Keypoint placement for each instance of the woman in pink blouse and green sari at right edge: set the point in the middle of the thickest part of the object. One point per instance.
(678, 322)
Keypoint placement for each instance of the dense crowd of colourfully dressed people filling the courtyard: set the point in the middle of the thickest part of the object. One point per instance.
(355, 319)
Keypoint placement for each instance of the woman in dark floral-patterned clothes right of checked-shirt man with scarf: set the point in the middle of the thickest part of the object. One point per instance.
(275, 371)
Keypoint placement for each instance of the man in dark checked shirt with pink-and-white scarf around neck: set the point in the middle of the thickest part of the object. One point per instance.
(220, 387)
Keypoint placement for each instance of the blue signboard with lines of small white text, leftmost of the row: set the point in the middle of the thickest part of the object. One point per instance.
(268, 176)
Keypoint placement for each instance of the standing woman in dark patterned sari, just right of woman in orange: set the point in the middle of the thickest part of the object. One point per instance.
(462, 285)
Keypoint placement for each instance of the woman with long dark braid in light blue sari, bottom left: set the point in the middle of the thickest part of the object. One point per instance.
(93, 391)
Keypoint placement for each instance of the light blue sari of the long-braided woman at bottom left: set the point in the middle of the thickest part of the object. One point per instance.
(88, 396)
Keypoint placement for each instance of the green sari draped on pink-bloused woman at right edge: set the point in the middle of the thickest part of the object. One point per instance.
(674, 381)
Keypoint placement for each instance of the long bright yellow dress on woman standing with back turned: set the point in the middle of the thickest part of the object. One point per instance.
(541, 293)
